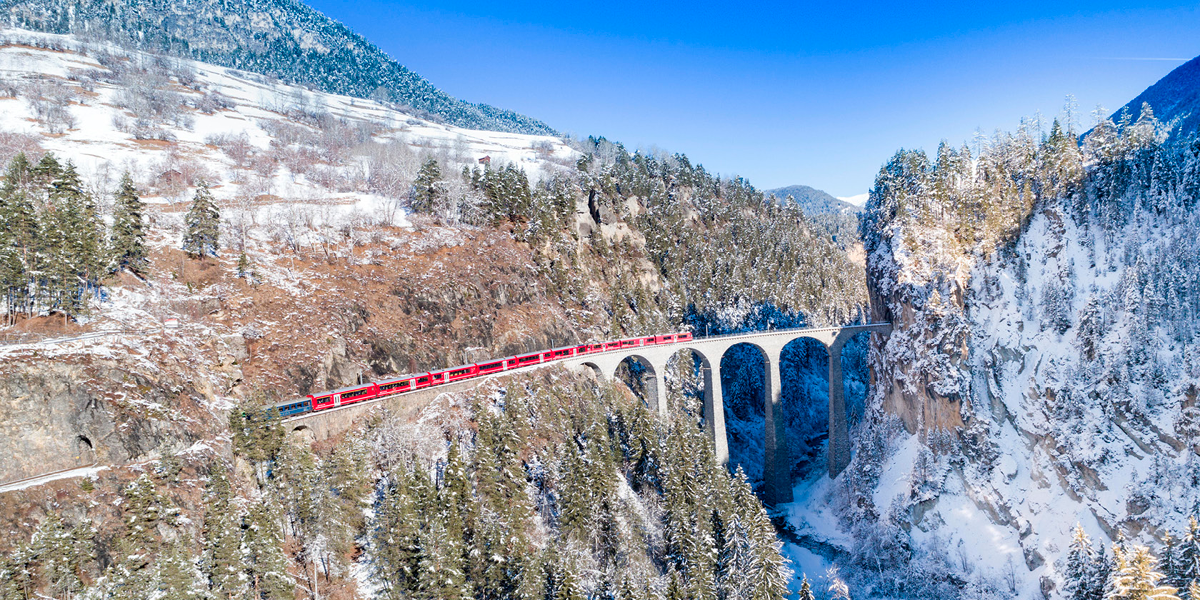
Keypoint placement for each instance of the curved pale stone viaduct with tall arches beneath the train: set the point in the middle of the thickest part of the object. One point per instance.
(777, 465)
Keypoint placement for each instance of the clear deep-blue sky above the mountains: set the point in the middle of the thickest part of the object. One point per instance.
(783, 94)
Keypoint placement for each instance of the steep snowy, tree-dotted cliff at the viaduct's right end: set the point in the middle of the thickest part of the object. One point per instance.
(1045, 361)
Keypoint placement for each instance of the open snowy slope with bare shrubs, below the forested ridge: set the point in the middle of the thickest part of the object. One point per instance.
(175, 122)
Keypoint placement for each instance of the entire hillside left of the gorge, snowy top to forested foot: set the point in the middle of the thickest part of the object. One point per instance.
(358, 242)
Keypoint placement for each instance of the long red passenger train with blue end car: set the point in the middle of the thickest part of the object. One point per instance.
(416, 382)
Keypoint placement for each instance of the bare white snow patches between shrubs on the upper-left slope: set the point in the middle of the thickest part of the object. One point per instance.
(101, 151)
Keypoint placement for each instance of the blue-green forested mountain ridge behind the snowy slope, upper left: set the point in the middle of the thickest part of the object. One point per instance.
(283, 39)
